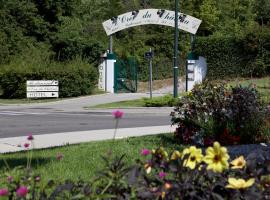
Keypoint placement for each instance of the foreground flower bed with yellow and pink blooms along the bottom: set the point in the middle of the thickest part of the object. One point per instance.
(192, 173)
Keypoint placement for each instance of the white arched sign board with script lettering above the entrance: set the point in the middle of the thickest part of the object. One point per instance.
(151, 16)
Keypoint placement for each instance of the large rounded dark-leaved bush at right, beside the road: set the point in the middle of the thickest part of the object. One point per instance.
(218, 112)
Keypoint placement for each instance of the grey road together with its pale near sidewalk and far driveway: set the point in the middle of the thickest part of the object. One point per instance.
(68, 122)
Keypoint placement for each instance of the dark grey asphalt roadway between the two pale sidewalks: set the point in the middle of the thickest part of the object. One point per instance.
(22, 123)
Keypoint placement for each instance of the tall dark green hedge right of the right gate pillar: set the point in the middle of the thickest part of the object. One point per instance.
(229, 57)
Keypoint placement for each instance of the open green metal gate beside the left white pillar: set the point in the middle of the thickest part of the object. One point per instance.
(125, 75)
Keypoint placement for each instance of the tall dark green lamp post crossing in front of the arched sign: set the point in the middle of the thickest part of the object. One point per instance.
(175, 67)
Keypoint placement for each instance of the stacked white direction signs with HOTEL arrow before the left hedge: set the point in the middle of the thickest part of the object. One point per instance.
(42, 89)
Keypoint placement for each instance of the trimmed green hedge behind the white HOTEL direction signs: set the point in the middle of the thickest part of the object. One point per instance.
(75, 79)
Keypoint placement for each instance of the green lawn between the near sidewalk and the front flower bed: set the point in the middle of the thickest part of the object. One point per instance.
(84, 160)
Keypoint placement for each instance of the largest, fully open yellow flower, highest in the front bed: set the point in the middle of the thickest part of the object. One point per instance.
(216, 158)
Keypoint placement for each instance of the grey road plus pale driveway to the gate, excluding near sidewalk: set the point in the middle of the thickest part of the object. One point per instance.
(70, 115)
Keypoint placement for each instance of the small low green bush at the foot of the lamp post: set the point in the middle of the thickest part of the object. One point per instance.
(166, 100)
